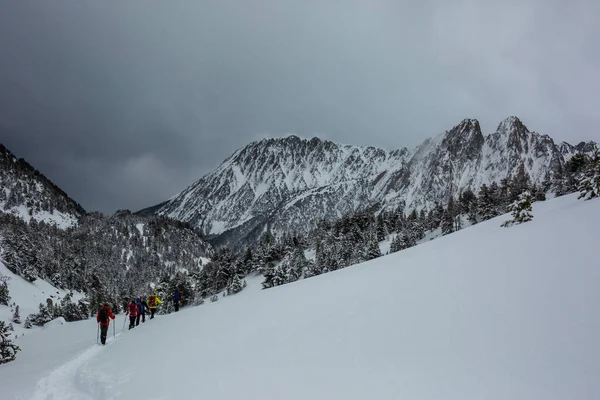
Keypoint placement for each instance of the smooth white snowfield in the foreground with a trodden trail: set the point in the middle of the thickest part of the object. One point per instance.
(484, 313)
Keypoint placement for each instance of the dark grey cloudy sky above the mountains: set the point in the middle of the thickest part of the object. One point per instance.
(124, 103)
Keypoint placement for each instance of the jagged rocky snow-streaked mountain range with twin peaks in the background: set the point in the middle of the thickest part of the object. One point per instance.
(287, 185)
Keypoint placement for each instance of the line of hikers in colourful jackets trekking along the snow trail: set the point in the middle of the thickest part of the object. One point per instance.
(136, 310)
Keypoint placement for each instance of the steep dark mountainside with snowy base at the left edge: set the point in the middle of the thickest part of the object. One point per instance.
(28, 194)
